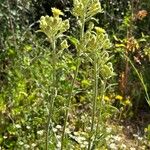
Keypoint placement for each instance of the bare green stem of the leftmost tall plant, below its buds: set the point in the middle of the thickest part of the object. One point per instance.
(54, 92)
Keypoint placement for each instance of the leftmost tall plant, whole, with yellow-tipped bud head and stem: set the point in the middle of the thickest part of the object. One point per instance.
(54, 27)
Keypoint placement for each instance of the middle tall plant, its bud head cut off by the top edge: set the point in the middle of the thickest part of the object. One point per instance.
(83, 10)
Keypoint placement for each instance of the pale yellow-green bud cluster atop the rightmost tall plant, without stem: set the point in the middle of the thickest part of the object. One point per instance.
(96, 42)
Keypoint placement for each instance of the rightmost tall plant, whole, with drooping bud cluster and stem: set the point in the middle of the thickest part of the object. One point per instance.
(95, 43)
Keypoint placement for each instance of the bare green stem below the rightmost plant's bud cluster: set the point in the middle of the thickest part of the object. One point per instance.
(95, 94)
